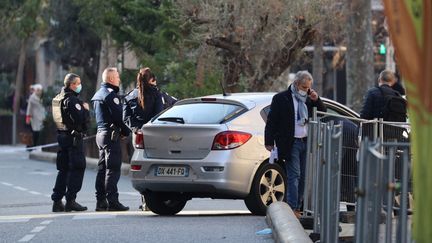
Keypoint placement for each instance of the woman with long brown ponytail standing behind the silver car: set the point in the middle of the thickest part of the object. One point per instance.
(143, 102)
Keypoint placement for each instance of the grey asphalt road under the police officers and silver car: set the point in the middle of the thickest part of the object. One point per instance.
(25, 212)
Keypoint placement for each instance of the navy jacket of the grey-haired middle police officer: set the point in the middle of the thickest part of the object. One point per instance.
(108, 108)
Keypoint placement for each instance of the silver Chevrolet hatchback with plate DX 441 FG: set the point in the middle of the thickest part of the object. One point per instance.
(212, 147)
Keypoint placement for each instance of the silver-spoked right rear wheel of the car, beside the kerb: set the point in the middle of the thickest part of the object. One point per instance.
(268, 186)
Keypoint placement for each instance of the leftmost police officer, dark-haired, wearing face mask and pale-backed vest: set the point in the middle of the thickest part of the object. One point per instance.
(71, 116)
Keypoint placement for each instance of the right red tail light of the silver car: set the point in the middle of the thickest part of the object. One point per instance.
(229, 140)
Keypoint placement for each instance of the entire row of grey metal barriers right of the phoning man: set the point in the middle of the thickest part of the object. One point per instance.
(334, 174)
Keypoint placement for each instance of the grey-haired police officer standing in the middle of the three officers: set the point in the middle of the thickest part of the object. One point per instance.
(108, 111)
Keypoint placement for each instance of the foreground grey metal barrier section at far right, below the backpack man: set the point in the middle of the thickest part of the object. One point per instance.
(377, 188)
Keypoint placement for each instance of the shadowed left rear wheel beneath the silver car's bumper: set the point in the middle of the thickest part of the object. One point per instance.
(164, 203)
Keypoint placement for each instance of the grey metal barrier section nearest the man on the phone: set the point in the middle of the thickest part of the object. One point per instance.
(326, 178)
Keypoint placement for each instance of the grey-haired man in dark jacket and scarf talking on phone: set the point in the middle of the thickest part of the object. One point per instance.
(286, 128)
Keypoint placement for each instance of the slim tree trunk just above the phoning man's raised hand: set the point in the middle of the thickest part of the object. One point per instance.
(318, 64)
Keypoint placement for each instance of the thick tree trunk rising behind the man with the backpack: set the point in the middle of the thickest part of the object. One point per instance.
(360, 65)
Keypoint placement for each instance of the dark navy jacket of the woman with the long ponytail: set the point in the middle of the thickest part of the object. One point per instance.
(134, 116)
